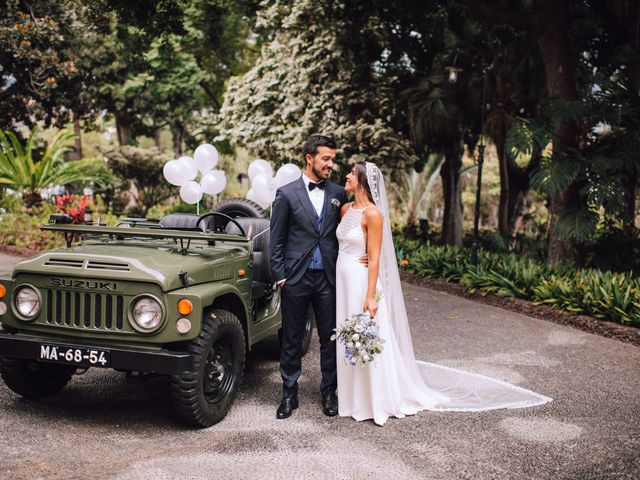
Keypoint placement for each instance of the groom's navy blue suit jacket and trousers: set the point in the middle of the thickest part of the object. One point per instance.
(296, 232)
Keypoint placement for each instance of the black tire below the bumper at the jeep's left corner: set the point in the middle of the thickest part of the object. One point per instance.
(34, 379)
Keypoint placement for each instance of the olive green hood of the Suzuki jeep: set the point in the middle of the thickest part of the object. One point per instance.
(141, 262)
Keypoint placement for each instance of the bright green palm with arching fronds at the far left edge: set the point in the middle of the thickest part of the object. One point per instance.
(20, 171)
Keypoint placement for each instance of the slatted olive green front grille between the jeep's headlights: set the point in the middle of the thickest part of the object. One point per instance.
(90, 311)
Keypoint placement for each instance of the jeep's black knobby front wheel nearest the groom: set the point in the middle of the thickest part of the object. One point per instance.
(203, 397)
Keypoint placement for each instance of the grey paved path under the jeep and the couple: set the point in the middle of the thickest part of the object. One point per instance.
(104, 425)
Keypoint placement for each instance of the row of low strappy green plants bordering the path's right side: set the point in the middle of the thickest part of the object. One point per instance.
(606, 295)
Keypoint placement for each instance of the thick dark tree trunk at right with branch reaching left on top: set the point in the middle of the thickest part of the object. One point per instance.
(547, 21)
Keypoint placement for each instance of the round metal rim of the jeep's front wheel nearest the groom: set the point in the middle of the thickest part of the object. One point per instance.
(219, 371)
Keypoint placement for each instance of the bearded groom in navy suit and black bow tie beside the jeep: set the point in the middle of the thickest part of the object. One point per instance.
(304, 250)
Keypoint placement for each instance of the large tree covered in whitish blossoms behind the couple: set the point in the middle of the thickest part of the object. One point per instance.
(304, 83)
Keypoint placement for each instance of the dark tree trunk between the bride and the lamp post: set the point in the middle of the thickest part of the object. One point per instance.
(452, 194)
